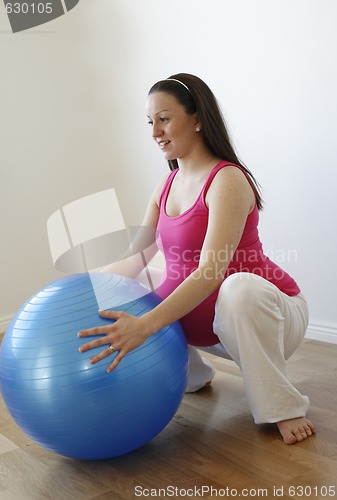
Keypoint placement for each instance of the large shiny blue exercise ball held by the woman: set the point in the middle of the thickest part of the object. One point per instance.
(72, 407)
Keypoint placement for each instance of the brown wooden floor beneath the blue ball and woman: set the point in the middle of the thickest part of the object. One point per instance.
(211, 443)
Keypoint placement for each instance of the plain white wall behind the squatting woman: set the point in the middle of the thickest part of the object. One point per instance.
(73, 123)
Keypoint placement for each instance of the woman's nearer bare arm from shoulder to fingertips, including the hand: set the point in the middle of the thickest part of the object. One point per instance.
(230, 199)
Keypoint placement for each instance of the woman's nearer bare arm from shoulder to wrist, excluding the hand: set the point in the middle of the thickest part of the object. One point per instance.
(230, 199)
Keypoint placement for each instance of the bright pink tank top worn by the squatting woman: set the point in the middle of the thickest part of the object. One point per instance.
(181, 239)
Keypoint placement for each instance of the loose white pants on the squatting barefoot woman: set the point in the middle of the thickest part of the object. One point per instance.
(259, 328)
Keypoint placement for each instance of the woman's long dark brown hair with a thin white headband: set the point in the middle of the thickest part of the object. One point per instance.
(196, 97)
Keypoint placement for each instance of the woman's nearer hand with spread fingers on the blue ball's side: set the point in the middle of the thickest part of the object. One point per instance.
(125, 334)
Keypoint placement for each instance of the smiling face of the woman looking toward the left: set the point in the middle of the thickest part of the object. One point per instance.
(172, 128)
